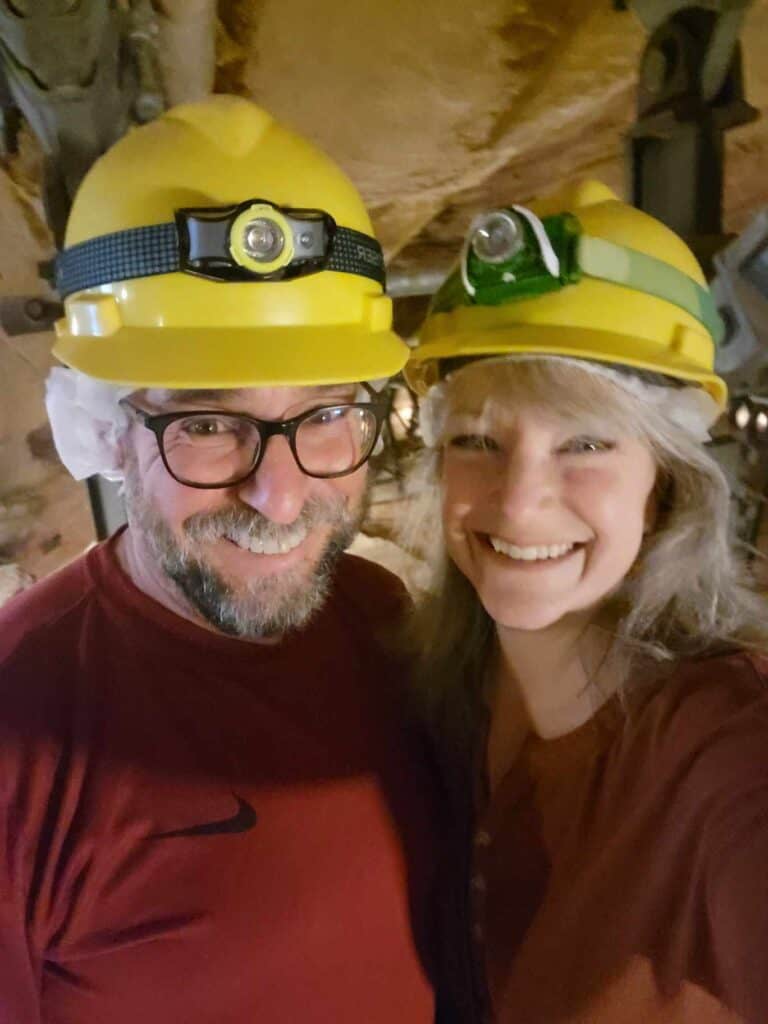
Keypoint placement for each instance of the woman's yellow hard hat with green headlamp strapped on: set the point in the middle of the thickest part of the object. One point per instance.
(580, 275)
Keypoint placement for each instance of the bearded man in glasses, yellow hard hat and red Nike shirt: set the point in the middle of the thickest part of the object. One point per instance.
(211, 809)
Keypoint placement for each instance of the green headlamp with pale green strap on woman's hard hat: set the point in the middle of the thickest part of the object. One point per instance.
(511, 255)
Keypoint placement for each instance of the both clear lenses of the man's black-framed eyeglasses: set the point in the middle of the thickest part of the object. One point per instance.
(212, 449)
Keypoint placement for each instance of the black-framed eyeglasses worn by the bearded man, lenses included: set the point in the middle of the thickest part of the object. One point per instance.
(215, 449)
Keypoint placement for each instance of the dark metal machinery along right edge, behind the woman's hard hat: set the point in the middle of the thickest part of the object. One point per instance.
(691, 93)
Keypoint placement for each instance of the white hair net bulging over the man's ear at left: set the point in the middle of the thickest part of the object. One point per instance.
(88, 421)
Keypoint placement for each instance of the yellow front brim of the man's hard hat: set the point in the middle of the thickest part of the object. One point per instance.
(235, 358)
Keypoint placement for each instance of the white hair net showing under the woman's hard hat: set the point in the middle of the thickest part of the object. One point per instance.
(693, 409)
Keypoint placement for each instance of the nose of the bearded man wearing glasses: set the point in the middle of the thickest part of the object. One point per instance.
(279, 490)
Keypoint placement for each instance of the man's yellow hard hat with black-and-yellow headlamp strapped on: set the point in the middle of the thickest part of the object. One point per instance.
(216, 248)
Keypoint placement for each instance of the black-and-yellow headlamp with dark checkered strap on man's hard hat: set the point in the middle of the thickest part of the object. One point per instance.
(248, 242)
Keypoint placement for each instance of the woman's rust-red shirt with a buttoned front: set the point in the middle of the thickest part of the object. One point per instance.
(621, 873)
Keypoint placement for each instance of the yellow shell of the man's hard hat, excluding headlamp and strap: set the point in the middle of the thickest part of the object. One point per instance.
(179, 330)
